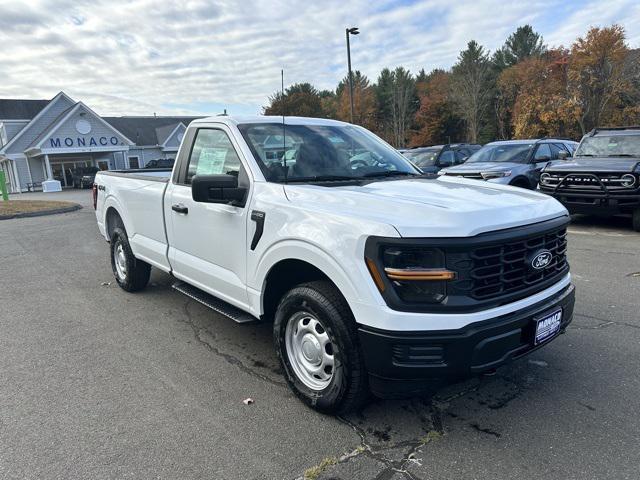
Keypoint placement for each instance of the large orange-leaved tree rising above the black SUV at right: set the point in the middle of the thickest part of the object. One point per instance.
(599, 75)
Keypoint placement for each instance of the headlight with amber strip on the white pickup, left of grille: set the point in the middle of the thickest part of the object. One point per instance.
(416, 274)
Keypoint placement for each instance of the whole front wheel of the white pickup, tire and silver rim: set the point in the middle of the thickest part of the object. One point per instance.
(316, 341)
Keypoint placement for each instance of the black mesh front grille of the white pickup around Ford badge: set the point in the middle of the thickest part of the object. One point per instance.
(504, 269)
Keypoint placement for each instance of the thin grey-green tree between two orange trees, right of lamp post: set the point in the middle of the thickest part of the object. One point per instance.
(397, 103)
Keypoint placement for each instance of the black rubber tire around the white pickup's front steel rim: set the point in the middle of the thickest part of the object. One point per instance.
(348, 389)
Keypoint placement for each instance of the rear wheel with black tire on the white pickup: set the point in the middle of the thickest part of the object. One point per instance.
(135, 274)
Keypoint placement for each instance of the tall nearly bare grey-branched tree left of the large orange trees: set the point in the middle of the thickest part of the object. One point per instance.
(472, 88)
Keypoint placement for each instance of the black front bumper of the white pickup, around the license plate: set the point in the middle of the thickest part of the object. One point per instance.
(403, 363)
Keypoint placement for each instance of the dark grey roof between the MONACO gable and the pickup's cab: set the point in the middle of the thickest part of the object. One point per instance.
(147, 130)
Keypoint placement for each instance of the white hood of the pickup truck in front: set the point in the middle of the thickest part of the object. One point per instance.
(443, 207)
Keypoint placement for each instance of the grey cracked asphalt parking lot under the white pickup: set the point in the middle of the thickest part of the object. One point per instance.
(97, 383)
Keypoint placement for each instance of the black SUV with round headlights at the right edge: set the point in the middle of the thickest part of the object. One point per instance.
(603, 176)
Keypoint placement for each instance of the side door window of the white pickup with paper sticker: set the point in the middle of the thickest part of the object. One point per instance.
(212, 154)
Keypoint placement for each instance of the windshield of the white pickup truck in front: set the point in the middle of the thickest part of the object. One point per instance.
(321, 153)
